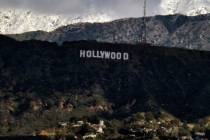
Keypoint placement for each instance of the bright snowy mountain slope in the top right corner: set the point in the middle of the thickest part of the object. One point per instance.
(186, 7)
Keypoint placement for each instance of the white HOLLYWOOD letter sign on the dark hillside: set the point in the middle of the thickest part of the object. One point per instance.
(104, 55)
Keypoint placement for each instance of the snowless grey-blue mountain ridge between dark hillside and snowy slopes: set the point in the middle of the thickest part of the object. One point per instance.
(181, 31)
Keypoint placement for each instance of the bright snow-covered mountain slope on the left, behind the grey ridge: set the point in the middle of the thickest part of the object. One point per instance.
(19, 21)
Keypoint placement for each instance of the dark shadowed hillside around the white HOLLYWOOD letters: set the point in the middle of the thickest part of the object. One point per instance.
(43, 84)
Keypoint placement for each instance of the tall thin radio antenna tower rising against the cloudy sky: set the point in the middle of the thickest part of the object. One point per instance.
(144, 34)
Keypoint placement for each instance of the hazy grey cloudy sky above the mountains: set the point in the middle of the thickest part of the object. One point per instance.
(115, 8)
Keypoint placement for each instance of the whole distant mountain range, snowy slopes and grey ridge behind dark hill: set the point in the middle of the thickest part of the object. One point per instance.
(188, 29)
